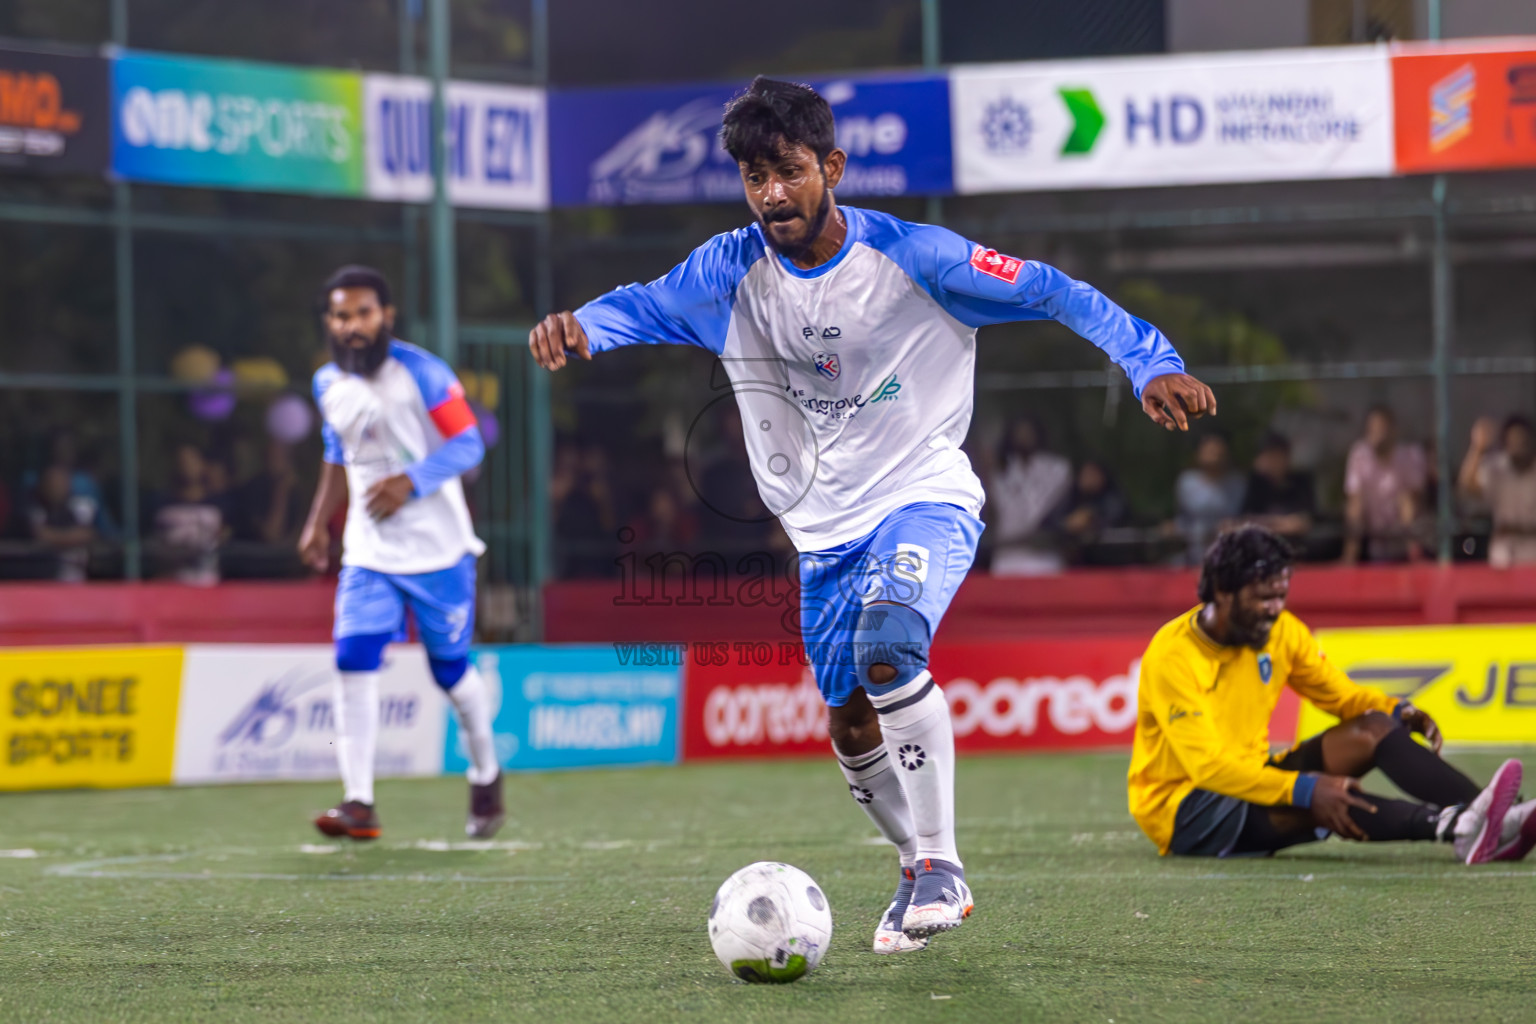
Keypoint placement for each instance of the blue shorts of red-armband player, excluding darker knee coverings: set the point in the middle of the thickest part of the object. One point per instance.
(443, 604)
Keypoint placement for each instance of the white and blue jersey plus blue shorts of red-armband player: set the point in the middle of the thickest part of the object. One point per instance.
(411, 418)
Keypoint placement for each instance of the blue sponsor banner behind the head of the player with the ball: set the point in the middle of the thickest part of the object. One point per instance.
(620, 147)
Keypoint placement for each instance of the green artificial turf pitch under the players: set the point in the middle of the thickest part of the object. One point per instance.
(223, 905)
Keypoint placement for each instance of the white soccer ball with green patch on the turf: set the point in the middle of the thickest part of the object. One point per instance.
(770, 923)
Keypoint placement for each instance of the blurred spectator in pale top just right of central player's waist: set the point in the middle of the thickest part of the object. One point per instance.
(1027, 487)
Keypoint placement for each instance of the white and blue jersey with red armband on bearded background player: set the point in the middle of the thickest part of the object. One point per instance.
(409, 418)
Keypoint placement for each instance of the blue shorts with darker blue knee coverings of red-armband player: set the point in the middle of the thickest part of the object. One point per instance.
(371, 612)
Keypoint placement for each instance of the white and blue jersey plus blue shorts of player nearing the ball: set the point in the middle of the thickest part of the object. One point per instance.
(855, 382)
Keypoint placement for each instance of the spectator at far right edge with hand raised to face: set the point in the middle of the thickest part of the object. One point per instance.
(1505, 480)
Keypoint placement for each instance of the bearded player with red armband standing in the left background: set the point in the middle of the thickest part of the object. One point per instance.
(399, 434)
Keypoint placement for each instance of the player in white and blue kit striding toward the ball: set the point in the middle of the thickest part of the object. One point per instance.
(850, 343)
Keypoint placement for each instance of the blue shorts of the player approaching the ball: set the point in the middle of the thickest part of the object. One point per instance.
(918, 557)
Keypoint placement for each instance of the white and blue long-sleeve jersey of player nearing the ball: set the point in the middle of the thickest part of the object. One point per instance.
(856, 378)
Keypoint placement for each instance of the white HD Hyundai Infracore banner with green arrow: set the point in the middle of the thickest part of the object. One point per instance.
(1262, 116)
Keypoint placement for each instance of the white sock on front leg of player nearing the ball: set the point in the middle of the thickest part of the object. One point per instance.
(915, 721)
